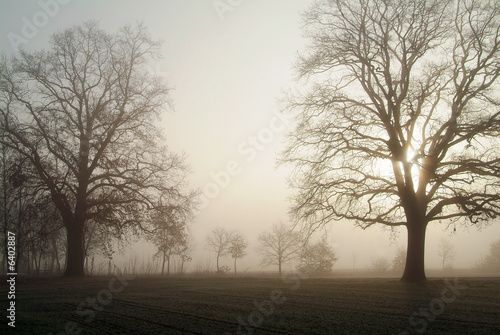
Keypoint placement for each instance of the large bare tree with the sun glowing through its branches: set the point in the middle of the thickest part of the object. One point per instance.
(399, 124)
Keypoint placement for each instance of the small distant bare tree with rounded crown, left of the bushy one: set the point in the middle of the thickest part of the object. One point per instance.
(279, 246)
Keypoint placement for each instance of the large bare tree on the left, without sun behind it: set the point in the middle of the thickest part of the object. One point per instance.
(85, 114)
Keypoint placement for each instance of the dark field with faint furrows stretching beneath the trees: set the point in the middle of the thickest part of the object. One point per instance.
(254, 305)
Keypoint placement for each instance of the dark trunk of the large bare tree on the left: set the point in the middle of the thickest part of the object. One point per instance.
(75, 266)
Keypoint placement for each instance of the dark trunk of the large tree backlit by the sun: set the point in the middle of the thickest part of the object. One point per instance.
(414, 268)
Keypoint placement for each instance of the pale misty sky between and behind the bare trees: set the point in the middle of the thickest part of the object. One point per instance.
(228, 63)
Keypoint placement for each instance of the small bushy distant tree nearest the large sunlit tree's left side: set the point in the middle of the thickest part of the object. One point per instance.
(317, 258)
